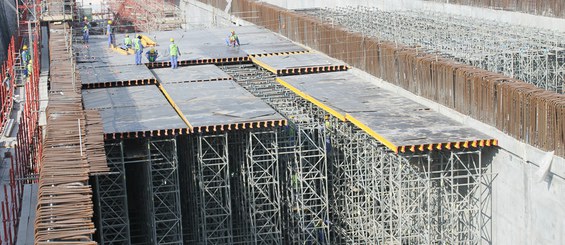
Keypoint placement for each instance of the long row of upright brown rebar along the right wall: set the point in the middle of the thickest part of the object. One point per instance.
(530, 114)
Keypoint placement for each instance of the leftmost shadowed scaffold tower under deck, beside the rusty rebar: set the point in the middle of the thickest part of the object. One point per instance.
(111, 194)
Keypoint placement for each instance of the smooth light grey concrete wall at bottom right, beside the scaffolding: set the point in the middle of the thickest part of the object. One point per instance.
(525, 208)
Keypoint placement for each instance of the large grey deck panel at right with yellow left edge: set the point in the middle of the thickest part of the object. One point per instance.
(399, 120)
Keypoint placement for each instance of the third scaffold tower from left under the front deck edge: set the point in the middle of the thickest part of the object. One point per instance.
(214, 180)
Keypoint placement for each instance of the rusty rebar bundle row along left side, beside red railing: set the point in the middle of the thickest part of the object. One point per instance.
(72, 150)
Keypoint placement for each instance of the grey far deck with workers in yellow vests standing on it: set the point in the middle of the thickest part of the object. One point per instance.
(193, 45)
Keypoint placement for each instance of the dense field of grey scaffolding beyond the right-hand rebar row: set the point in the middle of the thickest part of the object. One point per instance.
(533, 55)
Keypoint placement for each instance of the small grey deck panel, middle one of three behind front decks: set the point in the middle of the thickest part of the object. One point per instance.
(190, 74)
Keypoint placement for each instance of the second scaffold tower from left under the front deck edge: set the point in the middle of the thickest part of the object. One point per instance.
(164, 187)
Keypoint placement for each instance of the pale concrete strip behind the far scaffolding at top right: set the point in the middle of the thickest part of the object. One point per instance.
(516, 18)
